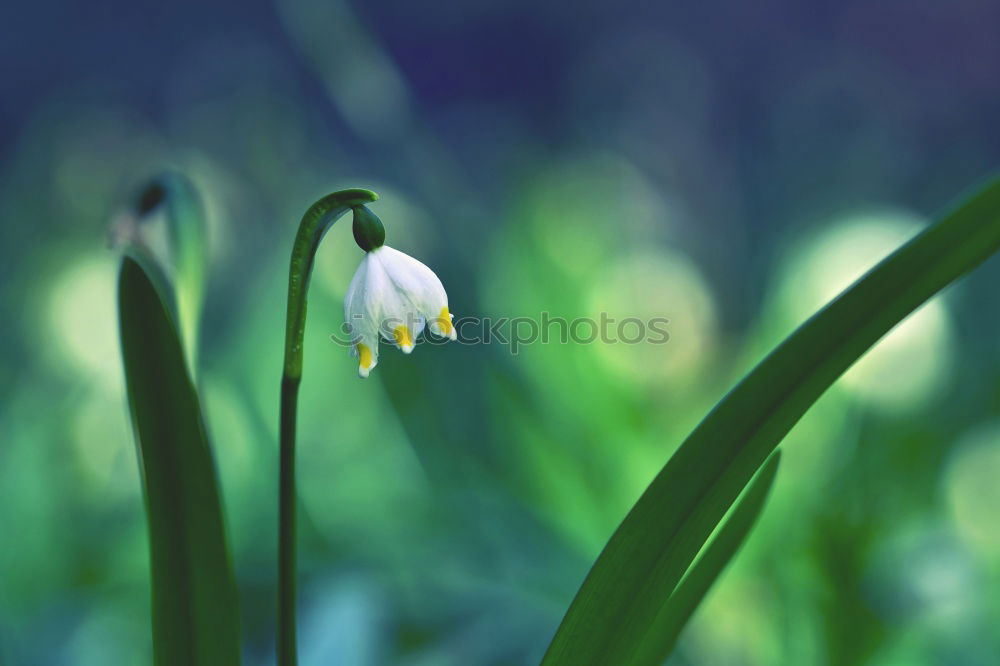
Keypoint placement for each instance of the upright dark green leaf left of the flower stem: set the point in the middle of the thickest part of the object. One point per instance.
(195, 609)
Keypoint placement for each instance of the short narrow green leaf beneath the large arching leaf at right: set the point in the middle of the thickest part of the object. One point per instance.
(713, 559)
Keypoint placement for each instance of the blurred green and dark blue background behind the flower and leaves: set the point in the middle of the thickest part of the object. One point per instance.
(729, 166)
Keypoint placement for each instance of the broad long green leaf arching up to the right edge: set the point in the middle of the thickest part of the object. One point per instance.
(630, 582)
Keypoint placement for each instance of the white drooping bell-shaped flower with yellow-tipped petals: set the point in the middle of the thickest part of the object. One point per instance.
(393, 295)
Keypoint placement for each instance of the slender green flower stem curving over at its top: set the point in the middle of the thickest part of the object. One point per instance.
(320, 217)
